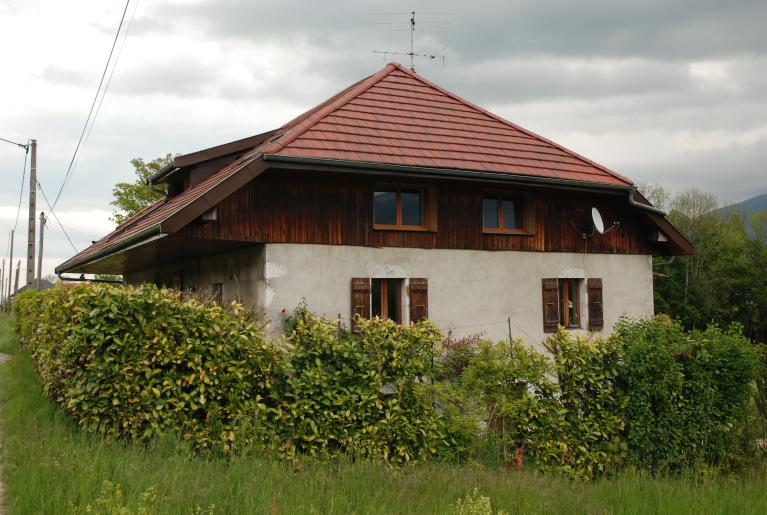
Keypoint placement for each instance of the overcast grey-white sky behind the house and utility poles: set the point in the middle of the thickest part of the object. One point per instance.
(662, 91)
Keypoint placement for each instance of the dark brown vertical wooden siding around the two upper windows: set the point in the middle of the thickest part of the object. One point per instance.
(285, 206)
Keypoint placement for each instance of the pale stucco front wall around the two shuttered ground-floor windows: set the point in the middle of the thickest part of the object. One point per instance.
(469, 291)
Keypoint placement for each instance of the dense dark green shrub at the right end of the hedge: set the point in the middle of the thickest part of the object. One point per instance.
(688, 394)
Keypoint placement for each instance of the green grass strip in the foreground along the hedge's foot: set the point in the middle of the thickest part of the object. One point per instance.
(52, 467)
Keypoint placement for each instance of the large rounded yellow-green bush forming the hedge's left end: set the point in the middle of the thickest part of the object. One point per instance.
(138, 362)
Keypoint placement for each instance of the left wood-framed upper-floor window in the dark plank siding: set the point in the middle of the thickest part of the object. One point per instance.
(400, 208)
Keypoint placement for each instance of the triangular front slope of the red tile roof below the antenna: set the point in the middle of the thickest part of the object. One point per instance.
(396, 117)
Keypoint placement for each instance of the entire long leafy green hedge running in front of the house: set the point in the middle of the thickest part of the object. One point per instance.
(136, 362)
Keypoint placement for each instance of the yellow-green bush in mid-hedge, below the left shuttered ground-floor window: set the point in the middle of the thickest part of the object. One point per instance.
(364, 393)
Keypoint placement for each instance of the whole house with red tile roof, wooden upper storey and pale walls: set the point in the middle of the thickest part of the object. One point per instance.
(399, 199)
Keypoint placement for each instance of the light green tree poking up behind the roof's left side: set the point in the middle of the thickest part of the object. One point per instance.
(132, 197)
